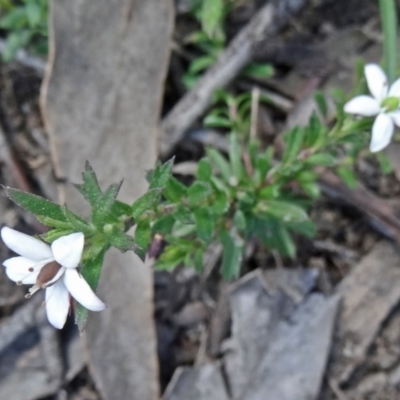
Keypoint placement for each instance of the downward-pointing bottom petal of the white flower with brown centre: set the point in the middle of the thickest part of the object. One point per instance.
(57, 304)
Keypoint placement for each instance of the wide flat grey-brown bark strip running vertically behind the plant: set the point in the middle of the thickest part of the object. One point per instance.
(101, 102)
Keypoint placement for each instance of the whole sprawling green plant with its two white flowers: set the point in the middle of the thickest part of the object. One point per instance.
(249, 193)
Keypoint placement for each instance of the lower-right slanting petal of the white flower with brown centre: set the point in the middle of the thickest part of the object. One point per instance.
(81, 291)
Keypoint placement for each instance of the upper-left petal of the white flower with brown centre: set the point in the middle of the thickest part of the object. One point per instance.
(25, 245)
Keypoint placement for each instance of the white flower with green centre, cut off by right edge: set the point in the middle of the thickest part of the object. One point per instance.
(384, 104)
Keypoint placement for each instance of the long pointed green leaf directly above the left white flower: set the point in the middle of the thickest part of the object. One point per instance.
(39, 206)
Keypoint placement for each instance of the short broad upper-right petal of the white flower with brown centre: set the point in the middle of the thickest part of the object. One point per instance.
(68, 249)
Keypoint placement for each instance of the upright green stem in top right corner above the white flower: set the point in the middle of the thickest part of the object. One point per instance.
(389, 27)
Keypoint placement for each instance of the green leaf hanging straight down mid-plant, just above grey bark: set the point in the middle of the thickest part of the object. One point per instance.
(232, 253)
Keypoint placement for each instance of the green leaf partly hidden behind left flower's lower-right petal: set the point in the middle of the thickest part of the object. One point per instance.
(91, 269)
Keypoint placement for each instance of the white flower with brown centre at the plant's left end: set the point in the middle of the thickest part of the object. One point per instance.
(53, 268)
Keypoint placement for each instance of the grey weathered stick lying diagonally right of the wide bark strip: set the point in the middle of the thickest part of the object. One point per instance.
(265, 24)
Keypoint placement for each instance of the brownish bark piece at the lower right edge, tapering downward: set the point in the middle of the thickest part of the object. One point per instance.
(369, 293)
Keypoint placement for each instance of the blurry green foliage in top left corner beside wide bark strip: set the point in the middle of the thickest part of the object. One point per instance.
(26, 25)
